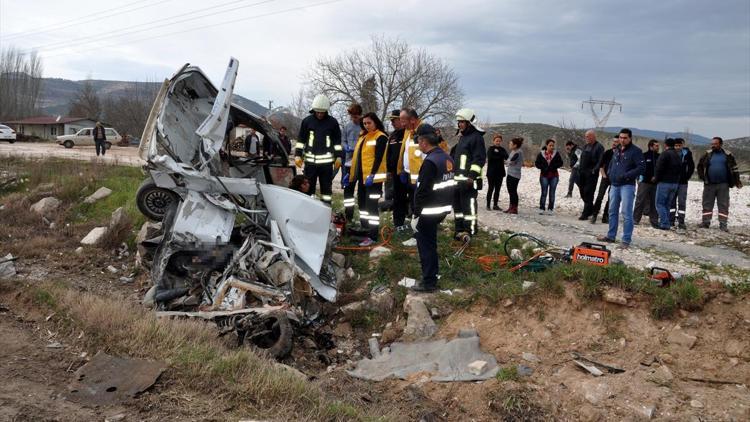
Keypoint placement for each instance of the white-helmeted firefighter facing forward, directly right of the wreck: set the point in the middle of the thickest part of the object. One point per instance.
(319, 145)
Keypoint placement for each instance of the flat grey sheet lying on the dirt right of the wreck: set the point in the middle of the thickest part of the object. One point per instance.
(443, 361)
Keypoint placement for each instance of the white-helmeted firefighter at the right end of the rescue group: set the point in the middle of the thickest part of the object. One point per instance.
(470, 155)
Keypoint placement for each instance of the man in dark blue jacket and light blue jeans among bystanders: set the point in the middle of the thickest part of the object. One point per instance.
(626, 167)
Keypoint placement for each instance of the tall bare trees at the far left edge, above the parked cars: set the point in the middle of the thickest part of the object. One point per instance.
(20, 83)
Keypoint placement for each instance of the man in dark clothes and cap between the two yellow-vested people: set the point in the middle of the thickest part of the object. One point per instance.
(397, 194)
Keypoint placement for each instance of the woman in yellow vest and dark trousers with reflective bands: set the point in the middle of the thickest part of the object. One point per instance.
(369, 167)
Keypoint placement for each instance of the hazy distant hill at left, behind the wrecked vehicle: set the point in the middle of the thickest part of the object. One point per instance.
(57, 94)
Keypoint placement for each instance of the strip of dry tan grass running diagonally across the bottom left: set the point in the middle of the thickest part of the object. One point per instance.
(250, 383)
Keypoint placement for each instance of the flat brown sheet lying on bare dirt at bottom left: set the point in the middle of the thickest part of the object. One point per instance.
(108, 380)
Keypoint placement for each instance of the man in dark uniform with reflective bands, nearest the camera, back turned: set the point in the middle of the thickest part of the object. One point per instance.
(432, 202)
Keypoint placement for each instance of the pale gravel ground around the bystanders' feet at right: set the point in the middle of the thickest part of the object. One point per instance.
(684, 251)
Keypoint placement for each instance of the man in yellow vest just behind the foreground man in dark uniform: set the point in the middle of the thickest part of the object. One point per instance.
(410, 157)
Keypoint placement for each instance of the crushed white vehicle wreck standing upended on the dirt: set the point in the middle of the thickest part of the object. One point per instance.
(235, 245)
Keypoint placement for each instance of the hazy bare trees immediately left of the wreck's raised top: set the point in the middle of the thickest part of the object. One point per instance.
(128, 112)
